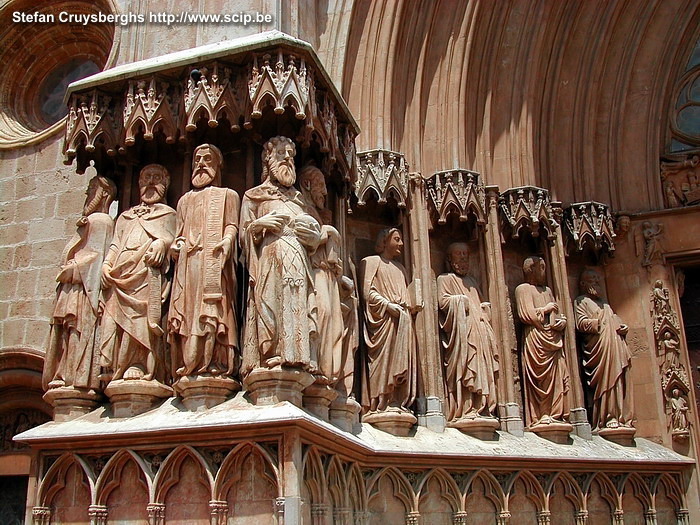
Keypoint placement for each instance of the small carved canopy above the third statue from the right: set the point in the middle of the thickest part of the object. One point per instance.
(457, 191)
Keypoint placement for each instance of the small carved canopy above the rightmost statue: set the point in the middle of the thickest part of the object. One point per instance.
(590, 224)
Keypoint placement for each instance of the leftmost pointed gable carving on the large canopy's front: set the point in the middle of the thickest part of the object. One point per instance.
(91, 120)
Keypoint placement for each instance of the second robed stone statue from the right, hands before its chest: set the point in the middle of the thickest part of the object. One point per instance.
(546, 375)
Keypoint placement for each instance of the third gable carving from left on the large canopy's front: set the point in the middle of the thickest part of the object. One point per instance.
(211, 94)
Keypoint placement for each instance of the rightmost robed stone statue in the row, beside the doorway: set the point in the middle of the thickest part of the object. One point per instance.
(607, 359)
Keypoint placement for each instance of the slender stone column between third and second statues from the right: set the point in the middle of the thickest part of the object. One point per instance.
(502, 317)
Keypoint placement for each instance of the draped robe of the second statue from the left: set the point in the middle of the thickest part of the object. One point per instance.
(132, 308)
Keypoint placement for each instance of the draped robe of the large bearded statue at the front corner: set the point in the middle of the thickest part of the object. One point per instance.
(281, 313)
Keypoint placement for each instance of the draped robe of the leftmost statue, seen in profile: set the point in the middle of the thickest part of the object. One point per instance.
(72, 354)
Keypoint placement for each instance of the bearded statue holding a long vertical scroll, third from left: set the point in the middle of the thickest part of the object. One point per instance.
(202, 327)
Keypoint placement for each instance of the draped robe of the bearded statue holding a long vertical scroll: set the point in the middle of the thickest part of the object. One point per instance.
(204, 289)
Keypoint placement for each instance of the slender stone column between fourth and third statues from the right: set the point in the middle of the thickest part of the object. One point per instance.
(430, 412)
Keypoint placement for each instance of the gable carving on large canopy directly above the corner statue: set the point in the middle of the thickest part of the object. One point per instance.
(282, 83)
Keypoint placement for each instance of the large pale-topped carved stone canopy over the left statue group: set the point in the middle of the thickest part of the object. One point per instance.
(233, 82)
